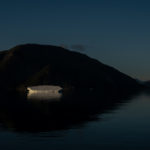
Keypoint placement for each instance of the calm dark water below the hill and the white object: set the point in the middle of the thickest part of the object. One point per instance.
(78, 122)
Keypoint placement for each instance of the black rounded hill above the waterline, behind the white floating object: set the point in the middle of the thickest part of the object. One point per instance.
(32, 64)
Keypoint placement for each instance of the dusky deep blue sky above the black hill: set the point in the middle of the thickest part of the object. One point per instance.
(113, 31)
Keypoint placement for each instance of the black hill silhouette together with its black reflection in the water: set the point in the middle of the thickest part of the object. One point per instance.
(98, 88)
